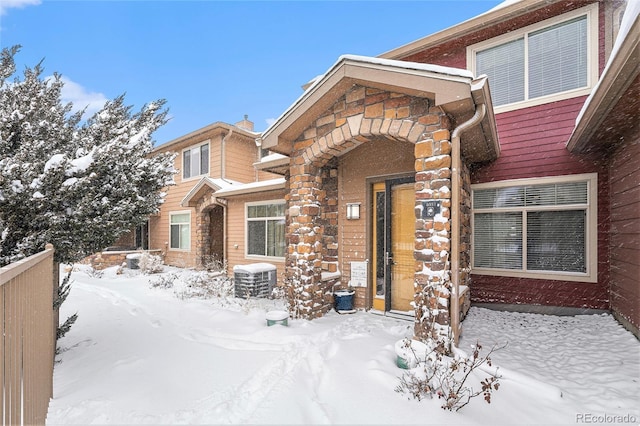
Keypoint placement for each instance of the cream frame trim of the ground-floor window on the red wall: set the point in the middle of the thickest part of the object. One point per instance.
(591, 240)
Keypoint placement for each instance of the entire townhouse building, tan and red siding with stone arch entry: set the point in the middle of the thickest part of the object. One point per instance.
(469, 164)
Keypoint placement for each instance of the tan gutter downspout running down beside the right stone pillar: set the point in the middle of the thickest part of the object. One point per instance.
(479, 114)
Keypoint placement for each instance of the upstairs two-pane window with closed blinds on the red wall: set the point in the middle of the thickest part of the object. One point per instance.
(545, 62)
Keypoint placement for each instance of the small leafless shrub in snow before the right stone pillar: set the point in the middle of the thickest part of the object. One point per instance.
(447, 377)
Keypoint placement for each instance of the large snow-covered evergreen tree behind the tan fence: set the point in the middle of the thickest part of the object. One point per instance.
(78, 185)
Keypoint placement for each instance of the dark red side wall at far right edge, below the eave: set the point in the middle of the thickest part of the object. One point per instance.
(625, 230)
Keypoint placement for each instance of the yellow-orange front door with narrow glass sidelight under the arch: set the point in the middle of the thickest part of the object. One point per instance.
(393, 244)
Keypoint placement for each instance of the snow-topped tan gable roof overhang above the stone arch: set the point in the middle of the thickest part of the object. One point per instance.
(452, 89)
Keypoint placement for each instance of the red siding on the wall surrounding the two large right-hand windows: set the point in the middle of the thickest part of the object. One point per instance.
(533, 142)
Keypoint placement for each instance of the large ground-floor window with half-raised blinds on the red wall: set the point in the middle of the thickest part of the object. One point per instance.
(538, 228)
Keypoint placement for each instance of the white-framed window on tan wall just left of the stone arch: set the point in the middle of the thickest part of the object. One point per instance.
(265, 229)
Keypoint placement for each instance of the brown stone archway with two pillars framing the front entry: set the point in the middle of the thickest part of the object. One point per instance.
(361, 114)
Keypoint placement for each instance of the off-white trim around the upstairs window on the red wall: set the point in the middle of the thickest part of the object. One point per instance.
(591, 12)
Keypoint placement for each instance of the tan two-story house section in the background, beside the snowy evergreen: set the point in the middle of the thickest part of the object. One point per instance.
(192, 225)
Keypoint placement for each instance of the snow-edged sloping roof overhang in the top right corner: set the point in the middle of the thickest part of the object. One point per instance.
(613, 105)
